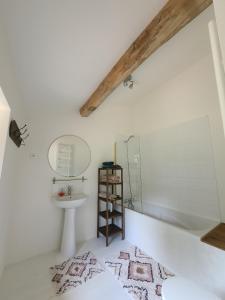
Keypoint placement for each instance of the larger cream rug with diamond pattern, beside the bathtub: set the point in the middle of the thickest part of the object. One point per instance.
(140, 275)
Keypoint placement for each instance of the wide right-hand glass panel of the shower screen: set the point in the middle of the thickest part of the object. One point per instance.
(178, 169)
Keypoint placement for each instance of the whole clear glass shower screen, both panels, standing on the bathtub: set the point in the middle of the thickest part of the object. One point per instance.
(172, 176)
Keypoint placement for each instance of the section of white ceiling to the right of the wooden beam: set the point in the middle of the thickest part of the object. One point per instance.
(185, 49)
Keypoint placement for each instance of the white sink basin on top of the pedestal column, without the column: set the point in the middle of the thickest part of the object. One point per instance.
(72, 201)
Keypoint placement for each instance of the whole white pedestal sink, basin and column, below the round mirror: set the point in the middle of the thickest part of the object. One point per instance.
(70, 204)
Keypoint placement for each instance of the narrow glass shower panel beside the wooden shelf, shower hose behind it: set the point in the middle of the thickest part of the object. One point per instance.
(128, 156)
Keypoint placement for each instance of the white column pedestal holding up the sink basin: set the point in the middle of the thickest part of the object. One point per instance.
(68, 246)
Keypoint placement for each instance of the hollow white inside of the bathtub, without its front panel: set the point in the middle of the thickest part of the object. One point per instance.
(194, 224)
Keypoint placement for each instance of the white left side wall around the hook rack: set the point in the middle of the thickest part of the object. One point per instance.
(12, 154)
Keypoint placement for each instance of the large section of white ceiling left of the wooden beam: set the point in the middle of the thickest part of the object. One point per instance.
(62, 49)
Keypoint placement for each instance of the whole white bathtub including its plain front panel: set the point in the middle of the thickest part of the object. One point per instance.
(174, 240)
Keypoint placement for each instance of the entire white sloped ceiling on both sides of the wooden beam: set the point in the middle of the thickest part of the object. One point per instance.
(61, 50)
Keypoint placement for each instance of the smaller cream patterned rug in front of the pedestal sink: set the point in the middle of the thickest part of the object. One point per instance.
(74, 272)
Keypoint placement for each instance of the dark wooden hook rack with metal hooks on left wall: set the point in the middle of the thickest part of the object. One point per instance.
(17, 134)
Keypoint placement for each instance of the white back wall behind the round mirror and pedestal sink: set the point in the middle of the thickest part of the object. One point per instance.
(36, 223)
